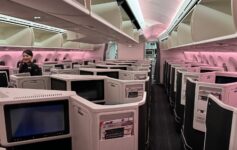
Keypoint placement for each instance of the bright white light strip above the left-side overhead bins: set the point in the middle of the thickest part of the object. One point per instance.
(18, 21)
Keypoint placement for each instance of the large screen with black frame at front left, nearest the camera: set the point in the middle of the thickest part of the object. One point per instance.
(36, 120)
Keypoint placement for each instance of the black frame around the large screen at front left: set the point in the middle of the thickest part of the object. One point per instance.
(8, 123)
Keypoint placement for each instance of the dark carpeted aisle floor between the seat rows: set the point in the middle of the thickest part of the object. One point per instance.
(162, 127)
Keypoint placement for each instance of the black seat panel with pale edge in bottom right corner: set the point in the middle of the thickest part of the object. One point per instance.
(220, 125)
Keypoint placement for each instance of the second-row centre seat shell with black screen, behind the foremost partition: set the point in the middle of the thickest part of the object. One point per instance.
(115, 91)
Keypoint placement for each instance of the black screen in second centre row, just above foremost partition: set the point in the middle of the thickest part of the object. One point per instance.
(90, 89)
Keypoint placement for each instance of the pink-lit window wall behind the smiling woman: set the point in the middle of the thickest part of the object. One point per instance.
(11, 55)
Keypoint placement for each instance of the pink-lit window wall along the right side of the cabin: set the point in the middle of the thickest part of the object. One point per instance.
(226, 59)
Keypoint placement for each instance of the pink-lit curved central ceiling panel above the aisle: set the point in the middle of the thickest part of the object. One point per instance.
(158, 15)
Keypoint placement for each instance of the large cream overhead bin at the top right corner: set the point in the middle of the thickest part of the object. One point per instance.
(211, 19)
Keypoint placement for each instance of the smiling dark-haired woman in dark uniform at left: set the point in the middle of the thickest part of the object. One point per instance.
(27, 65)
